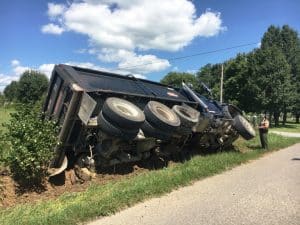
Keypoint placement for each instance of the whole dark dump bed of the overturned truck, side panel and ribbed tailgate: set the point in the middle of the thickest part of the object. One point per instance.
(99, 85)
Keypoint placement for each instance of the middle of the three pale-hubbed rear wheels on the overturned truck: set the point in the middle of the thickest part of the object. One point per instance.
(161, 116)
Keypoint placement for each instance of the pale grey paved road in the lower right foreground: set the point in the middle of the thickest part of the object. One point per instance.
(265, 191)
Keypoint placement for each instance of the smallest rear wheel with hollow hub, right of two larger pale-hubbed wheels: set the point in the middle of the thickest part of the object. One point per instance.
(189, 117)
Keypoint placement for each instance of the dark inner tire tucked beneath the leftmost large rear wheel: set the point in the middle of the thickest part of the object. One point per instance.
(115, 131)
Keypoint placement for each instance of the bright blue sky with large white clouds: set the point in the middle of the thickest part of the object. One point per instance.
(139, 37)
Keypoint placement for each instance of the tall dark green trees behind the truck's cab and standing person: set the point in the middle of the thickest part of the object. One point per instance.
(265, 80)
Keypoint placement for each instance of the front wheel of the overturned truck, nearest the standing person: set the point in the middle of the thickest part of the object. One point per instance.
(243, 127)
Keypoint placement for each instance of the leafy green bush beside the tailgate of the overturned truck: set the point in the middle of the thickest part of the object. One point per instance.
(32, 140)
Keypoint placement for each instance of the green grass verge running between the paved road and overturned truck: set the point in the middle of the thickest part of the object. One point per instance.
(107, 199)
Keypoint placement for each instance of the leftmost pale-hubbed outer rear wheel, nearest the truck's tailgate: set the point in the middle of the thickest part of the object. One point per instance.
(123, 113)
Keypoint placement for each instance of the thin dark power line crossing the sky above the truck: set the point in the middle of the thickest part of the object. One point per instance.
(193, 55)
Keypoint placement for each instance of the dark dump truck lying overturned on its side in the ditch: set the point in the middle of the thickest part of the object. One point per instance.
(108, 119)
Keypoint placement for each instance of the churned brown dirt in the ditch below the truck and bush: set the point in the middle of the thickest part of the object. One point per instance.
(11, 194)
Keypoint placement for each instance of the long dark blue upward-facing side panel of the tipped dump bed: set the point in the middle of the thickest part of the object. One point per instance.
(106, 82)
